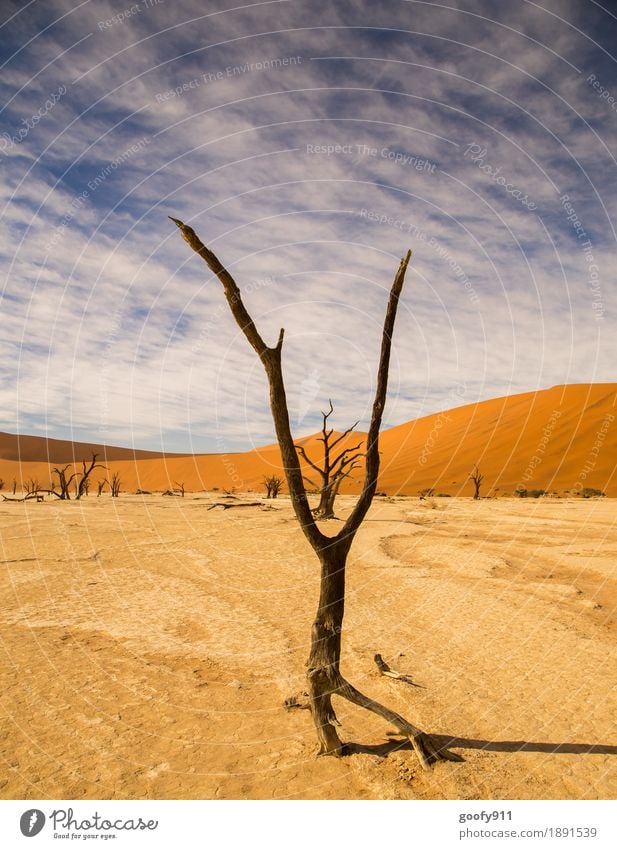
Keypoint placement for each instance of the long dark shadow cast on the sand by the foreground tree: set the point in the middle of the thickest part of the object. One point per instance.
(443, 741)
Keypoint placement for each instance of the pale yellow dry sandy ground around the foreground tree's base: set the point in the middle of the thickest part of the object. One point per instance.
(148, 645)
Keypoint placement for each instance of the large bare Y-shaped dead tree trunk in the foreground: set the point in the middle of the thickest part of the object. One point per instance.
(324, 676)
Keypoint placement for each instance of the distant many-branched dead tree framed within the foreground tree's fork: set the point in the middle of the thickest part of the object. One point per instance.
(333, 470)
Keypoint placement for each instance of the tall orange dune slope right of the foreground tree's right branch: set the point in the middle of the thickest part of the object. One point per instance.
(558, 439)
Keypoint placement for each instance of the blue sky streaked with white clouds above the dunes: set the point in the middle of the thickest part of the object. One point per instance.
(310, 145)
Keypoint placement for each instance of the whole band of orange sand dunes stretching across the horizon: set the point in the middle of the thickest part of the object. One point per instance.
(560, 440)
